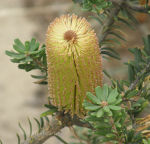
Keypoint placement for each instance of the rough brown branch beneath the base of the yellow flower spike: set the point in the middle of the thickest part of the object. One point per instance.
(57, 123)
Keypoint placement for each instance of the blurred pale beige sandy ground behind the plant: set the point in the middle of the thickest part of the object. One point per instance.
(19, 96)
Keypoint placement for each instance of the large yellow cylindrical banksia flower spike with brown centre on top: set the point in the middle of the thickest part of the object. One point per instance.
(74, 62)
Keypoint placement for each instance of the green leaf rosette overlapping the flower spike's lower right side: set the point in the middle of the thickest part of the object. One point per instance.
(105, 113)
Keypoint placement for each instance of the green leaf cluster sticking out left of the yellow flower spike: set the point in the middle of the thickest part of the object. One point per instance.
(30, 56)
